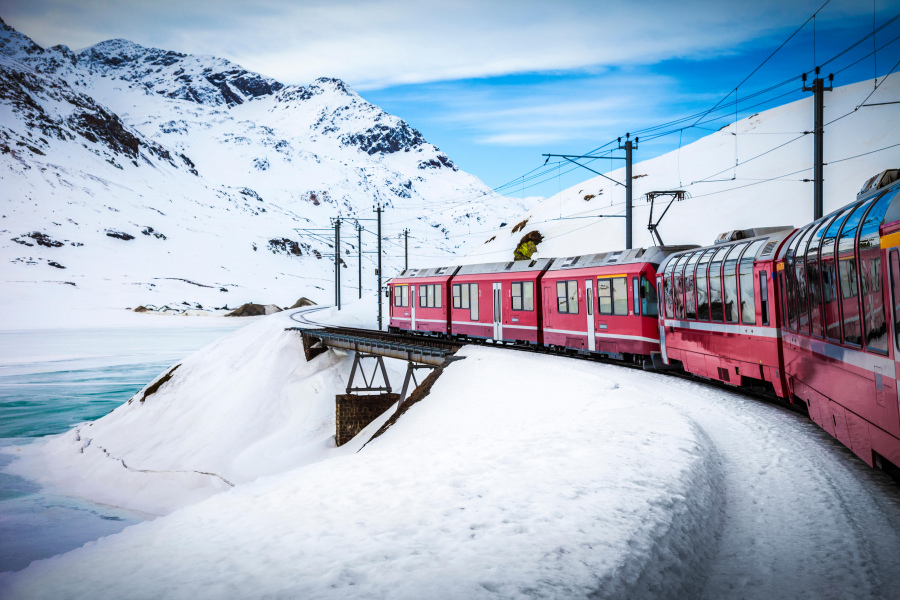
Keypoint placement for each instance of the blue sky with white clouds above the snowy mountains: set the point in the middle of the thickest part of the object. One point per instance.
(496, 84)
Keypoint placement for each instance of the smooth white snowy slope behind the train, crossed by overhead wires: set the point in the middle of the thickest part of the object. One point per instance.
(733, 198)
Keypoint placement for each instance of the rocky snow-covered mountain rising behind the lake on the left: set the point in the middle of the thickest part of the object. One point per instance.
(134, 175)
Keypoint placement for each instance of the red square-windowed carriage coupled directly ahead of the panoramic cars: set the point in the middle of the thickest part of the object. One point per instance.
(604, 303)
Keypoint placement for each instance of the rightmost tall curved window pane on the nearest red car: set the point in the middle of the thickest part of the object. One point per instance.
(874, 323)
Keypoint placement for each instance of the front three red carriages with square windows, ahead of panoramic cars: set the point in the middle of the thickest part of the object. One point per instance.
(600, 303)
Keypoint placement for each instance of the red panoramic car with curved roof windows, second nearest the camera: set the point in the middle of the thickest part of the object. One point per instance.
(716, 313)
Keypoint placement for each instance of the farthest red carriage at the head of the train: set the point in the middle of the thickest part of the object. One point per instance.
(420, 299)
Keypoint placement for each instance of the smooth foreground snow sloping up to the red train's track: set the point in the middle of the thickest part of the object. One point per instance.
(527, 476)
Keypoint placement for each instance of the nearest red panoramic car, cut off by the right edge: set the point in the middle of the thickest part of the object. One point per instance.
(839, 284)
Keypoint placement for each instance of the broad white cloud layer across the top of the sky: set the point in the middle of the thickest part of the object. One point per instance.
(378, 44)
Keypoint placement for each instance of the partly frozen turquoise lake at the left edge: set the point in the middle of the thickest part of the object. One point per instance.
(53, 379)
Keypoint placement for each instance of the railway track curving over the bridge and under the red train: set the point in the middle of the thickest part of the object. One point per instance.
(412, 339)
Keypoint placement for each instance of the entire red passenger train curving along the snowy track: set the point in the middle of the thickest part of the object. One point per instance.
(811, 315)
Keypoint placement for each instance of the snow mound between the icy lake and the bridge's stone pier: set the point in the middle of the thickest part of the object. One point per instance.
(245, 406)
